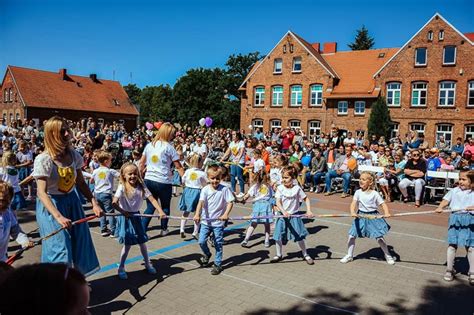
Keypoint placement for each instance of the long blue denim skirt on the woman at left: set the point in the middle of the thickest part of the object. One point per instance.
(73, 246)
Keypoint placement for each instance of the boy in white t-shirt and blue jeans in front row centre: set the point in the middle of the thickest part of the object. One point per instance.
(215, 203)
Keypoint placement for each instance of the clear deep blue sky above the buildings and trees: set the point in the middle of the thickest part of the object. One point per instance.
(157, 41)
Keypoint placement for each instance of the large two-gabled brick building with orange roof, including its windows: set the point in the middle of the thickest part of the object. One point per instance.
(428, 84)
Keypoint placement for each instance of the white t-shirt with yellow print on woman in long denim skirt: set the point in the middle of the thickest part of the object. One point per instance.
(59, 179)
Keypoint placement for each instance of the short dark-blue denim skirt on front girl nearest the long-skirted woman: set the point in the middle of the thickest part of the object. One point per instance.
(130, 230)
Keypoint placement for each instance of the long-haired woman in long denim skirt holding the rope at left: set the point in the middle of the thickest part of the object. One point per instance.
(57, 172)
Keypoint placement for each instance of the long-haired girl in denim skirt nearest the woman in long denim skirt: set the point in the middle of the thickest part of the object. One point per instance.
(128, 200)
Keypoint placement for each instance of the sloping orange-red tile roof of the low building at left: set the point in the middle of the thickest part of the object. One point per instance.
(46, 89)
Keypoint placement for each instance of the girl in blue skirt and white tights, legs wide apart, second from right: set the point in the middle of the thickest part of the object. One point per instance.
(367, 201)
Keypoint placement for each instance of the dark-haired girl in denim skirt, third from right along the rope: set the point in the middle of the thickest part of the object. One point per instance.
(288, 198)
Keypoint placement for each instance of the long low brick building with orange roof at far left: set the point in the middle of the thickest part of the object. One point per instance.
(36, 94)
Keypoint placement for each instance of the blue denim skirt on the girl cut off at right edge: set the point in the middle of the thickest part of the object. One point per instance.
(461, 229)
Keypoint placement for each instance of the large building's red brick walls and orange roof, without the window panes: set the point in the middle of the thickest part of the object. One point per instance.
(337, 75)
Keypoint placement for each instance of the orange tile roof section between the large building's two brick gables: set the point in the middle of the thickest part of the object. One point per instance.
(356, 69)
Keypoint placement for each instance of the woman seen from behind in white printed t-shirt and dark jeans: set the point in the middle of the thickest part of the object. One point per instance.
(157, 159)
